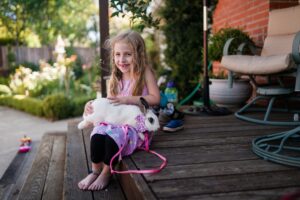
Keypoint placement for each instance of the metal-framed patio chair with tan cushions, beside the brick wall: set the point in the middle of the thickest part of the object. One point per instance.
(279, 58)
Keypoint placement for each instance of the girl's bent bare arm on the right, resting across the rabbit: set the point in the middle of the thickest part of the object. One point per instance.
(153, 98)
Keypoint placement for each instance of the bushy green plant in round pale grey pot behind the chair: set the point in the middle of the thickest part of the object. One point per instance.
(220, 92)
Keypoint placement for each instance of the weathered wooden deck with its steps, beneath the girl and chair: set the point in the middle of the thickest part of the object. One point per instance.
(210, 159)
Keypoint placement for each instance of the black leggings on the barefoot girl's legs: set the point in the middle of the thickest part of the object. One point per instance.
(103, 148)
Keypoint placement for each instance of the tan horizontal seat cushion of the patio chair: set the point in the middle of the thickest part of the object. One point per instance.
(257, 65)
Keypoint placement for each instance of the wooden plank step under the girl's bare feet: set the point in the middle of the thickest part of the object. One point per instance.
(78, 165)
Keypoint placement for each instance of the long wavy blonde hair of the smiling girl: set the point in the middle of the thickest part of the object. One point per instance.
(140, 62)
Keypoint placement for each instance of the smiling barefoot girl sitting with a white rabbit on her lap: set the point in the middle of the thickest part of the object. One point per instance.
(131, 78)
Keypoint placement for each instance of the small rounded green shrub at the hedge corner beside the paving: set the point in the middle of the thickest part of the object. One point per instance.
(57, 106)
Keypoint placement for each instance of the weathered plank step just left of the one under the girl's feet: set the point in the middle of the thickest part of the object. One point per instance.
(45, 179)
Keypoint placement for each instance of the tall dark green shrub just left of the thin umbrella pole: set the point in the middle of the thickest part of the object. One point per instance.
(183, 32)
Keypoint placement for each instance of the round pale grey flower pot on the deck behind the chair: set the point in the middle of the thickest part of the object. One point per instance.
(222, 95)
